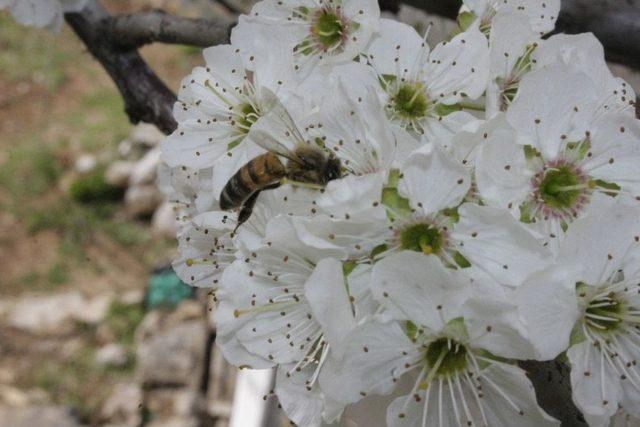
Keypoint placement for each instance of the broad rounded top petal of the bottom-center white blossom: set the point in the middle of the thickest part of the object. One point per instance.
(419, 288)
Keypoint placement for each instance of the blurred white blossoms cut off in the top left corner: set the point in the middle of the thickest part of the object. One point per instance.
(41, 13)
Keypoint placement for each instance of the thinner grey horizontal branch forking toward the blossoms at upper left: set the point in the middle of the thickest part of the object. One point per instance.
(158, 26)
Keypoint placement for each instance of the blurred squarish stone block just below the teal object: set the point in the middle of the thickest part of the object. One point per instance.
(171, 354)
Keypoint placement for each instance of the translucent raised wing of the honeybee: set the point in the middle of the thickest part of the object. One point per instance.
(276, 131)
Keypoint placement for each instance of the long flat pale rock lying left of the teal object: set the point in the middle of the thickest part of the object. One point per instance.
(50, 313)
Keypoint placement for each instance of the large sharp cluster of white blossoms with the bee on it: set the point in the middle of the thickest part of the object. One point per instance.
(440, 212)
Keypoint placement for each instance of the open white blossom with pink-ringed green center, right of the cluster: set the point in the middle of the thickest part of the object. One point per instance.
(552, 155)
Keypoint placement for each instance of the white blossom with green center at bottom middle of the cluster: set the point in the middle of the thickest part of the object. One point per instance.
(437, 333)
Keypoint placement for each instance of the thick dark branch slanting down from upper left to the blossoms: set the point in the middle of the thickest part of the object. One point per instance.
(146, 97)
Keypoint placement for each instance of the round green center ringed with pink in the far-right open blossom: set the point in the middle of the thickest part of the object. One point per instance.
(562, 187)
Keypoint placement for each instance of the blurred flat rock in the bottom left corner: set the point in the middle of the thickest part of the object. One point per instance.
(41, 416)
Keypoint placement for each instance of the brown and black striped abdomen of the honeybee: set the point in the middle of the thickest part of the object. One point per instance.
(255, 175)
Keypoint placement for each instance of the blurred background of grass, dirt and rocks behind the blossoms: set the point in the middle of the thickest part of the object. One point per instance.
(95, 329)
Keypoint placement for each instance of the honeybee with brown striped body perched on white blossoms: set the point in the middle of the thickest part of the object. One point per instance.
(306, 163)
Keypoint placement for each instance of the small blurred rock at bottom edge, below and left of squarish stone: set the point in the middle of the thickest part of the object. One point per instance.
(122, 407)
